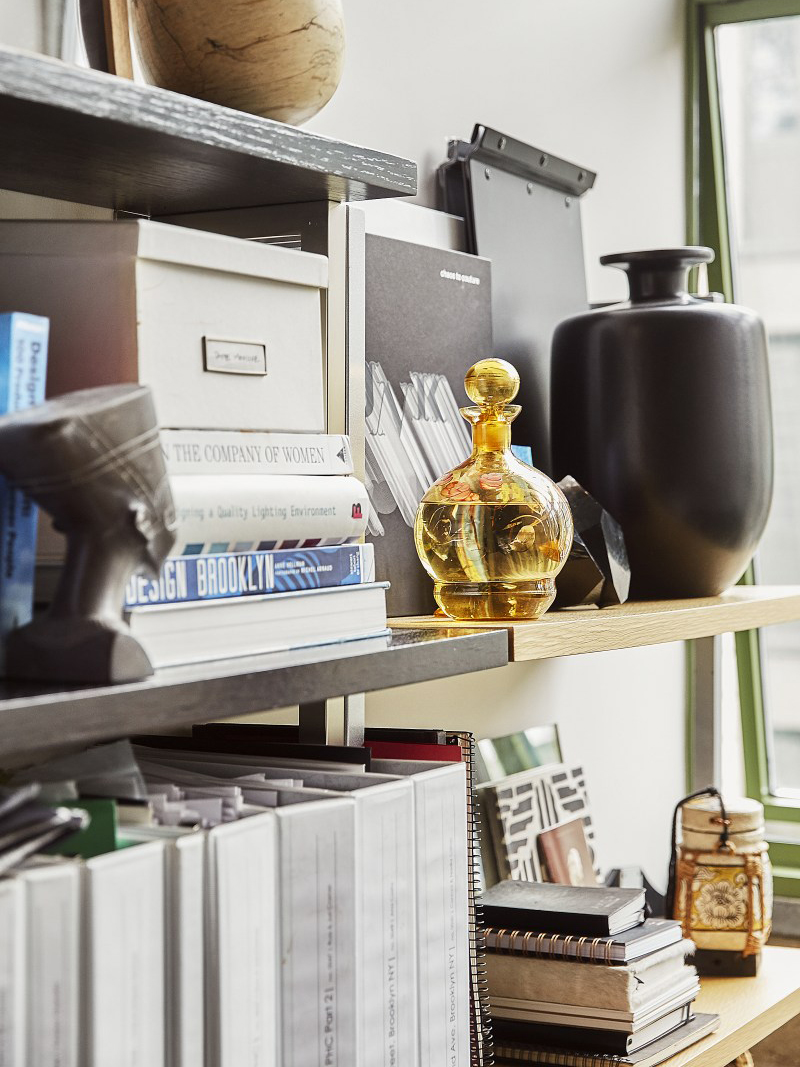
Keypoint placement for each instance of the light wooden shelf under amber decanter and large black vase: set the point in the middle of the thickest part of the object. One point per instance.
(575, 631)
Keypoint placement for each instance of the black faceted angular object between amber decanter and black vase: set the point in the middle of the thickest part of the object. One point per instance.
(597, 571)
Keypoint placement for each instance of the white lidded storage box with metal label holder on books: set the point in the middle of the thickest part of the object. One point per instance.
(229, 333)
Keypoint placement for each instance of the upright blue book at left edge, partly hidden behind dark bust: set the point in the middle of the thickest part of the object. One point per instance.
(23, 372)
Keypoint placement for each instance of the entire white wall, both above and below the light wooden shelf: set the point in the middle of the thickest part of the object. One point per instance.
(600, 83)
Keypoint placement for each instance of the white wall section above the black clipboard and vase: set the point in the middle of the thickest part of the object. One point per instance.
(600, 83)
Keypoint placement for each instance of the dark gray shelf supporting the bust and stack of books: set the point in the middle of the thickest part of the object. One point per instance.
(34, 719)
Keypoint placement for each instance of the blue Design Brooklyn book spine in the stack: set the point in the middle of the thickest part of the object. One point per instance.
(186, 580)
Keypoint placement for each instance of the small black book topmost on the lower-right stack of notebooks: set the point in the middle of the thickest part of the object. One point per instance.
(588, 911)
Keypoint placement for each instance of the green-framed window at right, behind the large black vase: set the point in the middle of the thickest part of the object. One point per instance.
(744, 201)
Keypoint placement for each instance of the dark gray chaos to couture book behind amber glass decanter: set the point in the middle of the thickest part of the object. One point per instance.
(428, 321)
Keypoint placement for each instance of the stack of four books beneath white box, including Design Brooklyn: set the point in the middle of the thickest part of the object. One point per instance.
(267, 556)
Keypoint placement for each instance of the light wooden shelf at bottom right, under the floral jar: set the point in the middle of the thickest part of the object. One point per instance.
(750, 1010)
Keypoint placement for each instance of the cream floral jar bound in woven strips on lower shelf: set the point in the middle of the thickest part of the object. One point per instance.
(724, 880)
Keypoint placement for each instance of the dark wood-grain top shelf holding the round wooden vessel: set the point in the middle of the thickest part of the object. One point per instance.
(89, 137)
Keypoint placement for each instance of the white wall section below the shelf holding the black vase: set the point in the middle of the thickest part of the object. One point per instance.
(620, 714)
